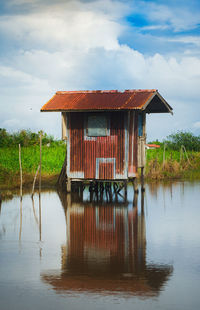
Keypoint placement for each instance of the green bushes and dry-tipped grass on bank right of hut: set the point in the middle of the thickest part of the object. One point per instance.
(177, 157)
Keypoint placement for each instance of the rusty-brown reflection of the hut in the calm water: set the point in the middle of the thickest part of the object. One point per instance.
(105, 252)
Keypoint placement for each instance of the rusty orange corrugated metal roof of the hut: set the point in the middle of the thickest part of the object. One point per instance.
(100, 100)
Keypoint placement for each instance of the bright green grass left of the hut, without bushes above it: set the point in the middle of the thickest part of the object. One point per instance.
(52, 161)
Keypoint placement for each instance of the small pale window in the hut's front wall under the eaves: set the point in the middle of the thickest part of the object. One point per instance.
(97, 125)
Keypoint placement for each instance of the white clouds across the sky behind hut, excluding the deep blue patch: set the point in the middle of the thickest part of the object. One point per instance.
(75, 46)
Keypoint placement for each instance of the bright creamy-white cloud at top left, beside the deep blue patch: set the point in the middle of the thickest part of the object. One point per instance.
(68, 25)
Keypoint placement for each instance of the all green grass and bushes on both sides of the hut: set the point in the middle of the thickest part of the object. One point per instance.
(177, 157)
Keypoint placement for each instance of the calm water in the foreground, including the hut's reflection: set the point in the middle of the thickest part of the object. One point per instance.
(70, 252)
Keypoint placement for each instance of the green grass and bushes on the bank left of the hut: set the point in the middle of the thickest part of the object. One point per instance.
(53, 154)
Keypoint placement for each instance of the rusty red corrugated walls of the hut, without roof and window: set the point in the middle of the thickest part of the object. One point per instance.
(115, 156)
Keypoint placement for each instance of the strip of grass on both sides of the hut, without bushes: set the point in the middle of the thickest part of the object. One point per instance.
(175, 166)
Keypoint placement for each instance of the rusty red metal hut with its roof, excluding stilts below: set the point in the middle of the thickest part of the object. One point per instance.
(105, 131)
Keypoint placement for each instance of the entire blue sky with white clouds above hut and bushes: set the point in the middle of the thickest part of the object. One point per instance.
(51, 45)
